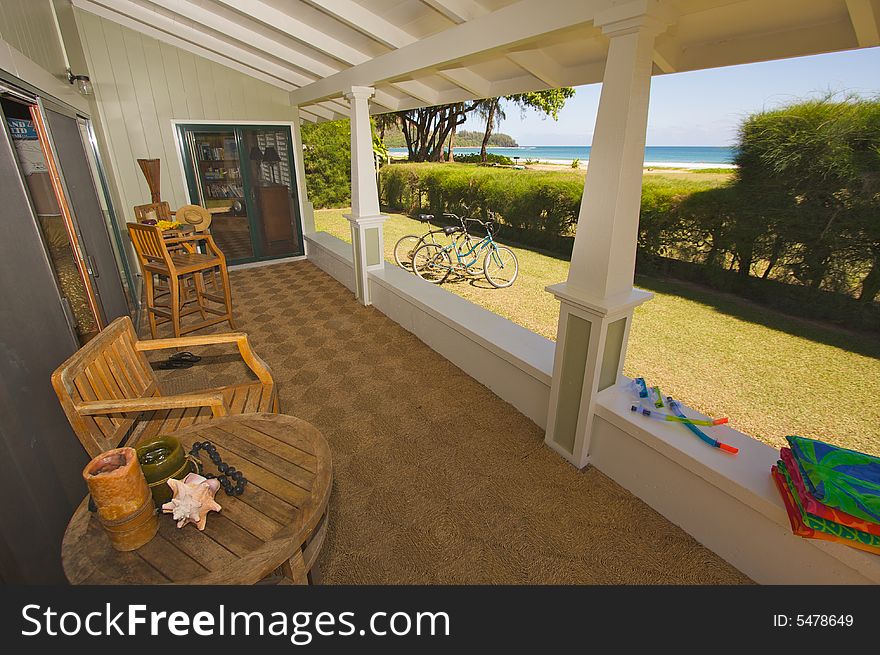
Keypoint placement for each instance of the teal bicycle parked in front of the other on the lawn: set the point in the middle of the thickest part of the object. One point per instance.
(434, 262)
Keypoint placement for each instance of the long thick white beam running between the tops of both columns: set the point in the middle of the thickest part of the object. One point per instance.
(524, 21)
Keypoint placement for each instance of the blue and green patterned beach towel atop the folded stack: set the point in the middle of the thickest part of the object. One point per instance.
(843, 479)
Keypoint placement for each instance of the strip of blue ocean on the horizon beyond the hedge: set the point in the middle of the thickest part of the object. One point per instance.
(680, 156)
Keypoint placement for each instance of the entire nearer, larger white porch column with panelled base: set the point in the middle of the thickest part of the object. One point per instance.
(598, 299)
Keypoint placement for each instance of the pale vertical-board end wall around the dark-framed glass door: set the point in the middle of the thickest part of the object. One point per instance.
(141, 84)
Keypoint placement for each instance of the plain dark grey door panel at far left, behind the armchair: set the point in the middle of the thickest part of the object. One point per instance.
(40, 458)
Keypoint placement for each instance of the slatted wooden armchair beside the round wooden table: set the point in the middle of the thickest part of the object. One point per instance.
(111, 395)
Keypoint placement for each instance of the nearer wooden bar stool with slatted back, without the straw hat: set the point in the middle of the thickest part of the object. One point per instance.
(178, 267)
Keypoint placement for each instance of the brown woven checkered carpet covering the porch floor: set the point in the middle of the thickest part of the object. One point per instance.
(436, 479)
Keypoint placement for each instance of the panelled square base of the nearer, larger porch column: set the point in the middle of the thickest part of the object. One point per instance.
(590, 352)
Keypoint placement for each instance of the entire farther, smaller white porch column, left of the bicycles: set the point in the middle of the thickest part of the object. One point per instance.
(366, 221)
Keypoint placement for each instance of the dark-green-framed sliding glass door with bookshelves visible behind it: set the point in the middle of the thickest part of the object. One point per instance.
(245, 176)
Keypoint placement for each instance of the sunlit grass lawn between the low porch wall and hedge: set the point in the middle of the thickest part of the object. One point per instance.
(773, 375)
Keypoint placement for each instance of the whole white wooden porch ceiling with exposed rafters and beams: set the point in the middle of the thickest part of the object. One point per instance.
(426, 52)
